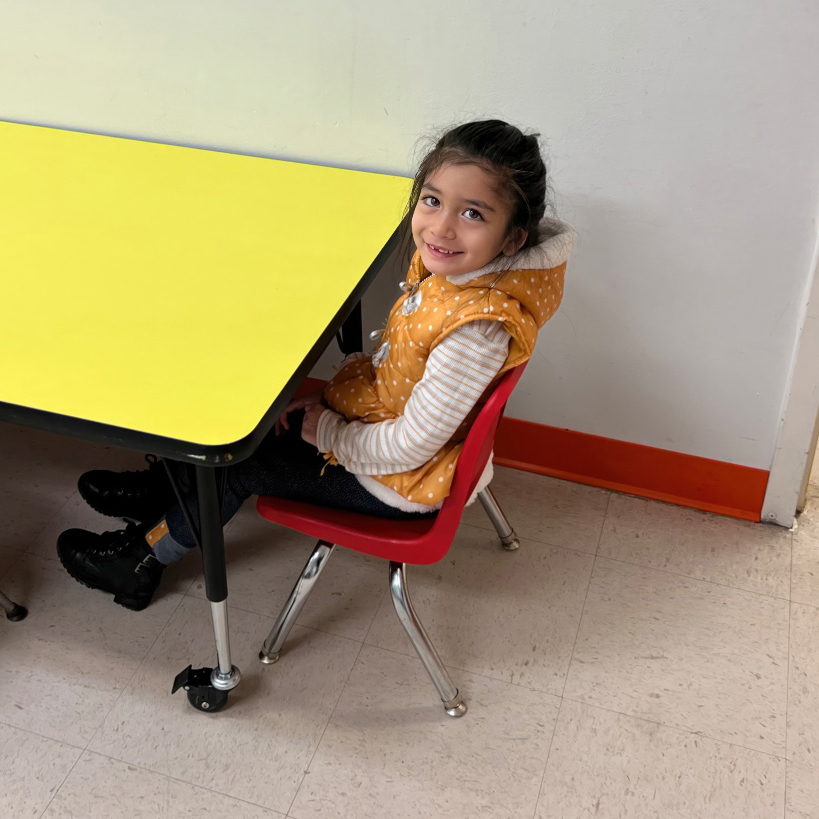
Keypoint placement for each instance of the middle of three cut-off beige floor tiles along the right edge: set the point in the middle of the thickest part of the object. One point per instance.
(803, 686)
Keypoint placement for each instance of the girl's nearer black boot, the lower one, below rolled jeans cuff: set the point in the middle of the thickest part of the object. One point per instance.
(120, 563)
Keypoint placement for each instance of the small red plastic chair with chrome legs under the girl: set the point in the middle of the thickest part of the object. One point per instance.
(417, 542)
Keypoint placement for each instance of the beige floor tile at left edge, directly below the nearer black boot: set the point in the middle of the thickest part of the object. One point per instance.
(74, 653)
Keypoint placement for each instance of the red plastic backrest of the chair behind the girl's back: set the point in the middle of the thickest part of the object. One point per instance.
(477, 447)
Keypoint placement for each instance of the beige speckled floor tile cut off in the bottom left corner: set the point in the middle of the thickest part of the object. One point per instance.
(32, 768)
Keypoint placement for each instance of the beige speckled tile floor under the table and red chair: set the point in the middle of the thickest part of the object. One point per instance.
(632, 659)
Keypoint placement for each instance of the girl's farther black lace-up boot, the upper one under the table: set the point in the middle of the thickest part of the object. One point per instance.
(142, 496)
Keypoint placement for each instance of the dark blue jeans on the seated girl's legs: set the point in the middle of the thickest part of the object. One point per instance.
(285, 466)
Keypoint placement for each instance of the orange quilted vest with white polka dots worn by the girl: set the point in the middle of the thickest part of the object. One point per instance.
(377, 387)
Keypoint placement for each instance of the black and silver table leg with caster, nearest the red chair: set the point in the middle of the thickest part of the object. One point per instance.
(208, 687)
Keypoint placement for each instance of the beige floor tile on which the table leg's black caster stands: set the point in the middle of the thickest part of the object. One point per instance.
(259, 746)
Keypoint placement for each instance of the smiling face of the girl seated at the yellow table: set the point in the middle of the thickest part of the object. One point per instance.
(460, 222)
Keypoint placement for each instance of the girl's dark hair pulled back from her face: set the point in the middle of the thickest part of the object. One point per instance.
(504, 151)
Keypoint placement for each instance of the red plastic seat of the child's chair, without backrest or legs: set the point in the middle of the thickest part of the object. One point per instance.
(407, 541)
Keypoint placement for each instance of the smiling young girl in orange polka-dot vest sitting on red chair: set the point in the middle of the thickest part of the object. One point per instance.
(383, 436)
